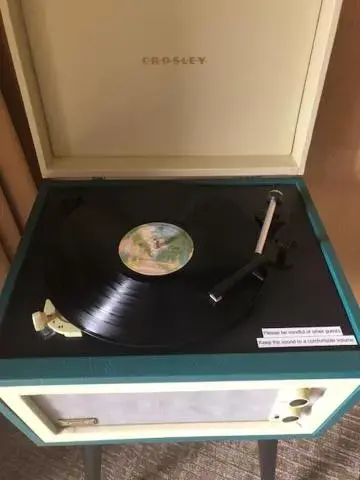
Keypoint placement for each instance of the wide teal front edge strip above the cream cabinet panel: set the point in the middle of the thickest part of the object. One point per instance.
(180, 368)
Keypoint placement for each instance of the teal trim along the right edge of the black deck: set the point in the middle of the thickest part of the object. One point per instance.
(347, 297)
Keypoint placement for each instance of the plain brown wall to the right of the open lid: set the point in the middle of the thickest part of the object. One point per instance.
(333, 169)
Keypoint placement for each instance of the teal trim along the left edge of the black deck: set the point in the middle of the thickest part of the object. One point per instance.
(22, 249)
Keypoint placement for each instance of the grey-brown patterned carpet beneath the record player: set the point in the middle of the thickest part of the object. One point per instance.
(336, 456)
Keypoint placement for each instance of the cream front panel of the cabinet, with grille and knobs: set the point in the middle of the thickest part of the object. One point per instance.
(184, 410)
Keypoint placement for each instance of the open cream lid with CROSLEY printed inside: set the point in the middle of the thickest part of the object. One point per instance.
(132, 88)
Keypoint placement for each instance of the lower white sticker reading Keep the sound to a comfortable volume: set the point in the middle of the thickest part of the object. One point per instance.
(281, 342)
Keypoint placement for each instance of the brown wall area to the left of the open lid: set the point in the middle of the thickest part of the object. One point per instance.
(17, 189)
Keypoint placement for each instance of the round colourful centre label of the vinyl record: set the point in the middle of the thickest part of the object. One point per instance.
(156, 248)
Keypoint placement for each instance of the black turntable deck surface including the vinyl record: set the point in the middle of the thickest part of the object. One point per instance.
(74, 260)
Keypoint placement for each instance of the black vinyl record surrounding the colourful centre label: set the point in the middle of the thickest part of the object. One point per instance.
(91, 286)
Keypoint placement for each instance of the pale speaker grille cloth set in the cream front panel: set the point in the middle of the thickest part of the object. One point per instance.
(161, 407)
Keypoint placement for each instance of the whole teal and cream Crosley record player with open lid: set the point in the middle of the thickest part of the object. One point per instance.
(175, 280)
